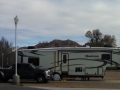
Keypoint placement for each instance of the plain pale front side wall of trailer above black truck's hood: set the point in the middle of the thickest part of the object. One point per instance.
(46, 58)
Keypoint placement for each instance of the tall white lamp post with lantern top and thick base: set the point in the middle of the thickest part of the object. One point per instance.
(16, 78)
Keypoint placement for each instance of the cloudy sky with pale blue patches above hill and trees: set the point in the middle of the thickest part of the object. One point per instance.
(46, 20)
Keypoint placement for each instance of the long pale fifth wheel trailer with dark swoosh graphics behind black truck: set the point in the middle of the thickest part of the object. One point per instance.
(81, 62)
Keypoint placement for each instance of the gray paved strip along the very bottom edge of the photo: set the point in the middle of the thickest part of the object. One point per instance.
(9, 86)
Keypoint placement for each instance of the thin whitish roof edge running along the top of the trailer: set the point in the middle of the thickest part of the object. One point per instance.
(72, 48)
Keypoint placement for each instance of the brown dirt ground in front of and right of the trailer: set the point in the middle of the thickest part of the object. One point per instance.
(111, 80)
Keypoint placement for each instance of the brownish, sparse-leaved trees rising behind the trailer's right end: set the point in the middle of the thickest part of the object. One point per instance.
(98, 40)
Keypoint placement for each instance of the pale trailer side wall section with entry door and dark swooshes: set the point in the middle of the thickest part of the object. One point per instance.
(84, 63)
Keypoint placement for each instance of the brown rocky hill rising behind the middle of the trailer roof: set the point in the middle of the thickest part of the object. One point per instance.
(58, 43)
